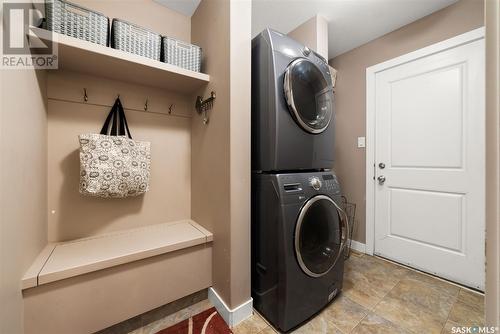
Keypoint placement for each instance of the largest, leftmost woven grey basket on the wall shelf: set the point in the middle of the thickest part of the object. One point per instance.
(76, 21)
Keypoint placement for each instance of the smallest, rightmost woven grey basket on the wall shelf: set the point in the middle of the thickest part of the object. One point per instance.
(181, 54)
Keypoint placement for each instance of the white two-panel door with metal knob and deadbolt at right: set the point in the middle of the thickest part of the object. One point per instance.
(429, 134)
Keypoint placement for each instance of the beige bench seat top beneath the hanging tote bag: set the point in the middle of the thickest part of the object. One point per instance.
(63, 260)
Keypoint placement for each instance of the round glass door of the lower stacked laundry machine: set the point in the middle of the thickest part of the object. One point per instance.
(320, 235)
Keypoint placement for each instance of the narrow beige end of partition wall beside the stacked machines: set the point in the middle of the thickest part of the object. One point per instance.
(241, 24)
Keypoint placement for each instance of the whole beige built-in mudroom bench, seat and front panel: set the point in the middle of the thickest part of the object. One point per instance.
(133, 271)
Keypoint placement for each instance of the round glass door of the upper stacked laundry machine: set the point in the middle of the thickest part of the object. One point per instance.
(309, 95)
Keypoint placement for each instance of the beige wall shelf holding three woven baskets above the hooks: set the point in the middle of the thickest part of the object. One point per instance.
(94, 59)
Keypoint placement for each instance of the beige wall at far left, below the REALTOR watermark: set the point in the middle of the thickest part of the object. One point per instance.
(23, 184)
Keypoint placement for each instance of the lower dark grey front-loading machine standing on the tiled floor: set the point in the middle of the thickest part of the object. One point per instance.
(299, 233)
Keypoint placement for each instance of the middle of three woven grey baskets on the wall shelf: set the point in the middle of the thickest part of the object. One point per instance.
(131, 38)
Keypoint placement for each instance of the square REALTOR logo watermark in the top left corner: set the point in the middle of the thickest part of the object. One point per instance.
(25, 47)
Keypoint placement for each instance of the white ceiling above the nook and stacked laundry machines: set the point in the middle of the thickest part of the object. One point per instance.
(351, 23)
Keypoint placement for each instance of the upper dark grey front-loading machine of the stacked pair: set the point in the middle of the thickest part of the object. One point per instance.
(292, 106)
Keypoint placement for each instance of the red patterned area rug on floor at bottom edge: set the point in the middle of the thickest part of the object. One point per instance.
(206, 322)
